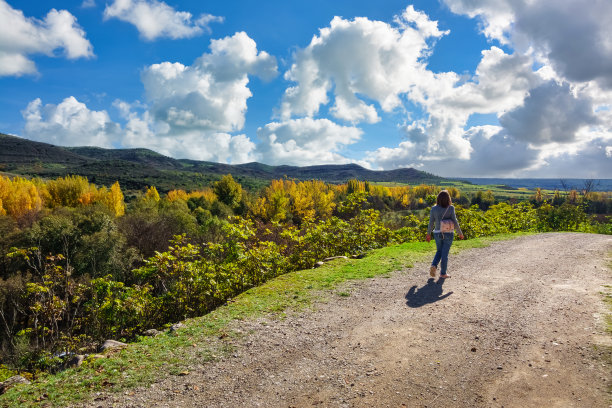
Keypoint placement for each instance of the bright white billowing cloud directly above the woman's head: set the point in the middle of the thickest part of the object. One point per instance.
(501, 82)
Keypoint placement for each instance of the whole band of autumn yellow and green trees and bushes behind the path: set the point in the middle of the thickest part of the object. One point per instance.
(94, 270)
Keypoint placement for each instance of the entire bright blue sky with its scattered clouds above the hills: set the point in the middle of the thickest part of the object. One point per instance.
(498, 88)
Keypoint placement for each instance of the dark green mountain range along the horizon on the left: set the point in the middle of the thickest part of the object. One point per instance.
(138, 168)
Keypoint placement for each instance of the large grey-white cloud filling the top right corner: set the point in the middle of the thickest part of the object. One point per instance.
(573, 35)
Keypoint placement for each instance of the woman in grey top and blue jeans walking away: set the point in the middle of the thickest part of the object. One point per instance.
(443, 222)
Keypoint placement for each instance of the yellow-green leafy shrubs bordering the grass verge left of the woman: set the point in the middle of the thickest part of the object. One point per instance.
(57, 311)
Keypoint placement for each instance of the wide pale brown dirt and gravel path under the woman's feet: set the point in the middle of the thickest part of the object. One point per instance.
(516, 326)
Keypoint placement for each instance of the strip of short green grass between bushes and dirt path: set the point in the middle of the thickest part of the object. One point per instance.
(205, 338)
